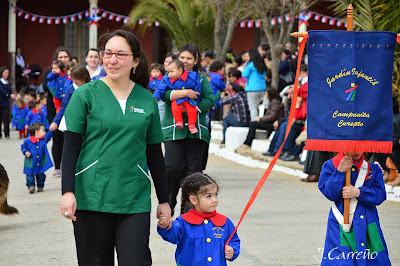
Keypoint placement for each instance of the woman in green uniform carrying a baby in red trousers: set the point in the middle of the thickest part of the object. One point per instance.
(184, 151)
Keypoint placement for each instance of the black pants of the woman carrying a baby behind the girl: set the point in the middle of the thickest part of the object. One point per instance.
(182, 158)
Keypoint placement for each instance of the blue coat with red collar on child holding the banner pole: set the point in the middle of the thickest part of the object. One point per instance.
(364, 244)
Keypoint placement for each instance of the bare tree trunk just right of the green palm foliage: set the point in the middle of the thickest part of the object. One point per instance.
(227, 13)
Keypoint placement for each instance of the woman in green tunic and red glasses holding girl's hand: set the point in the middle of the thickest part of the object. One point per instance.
(113, 127)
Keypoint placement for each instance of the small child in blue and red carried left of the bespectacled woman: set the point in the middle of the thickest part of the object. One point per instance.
(56, 83)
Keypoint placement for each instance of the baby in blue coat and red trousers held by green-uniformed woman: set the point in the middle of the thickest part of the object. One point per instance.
(179, 79)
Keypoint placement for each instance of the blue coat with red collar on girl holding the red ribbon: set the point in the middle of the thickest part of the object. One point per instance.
(201, 241)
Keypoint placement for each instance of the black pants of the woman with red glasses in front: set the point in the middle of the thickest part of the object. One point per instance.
(97, 233)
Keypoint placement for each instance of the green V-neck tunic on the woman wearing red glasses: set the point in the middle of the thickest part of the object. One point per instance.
(111, 172)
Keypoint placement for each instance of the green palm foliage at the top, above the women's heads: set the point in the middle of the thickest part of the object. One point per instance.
(185, 21)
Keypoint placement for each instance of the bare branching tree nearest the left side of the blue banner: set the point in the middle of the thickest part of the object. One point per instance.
(279, 33)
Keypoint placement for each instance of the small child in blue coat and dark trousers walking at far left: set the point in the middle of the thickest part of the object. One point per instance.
(37, 157)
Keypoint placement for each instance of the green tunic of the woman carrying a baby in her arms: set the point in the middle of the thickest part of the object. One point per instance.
(206, 102)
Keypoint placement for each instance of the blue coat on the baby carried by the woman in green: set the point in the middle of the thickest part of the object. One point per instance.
(188, 80)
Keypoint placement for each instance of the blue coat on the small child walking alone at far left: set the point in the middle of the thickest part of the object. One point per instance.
(40, 160)
